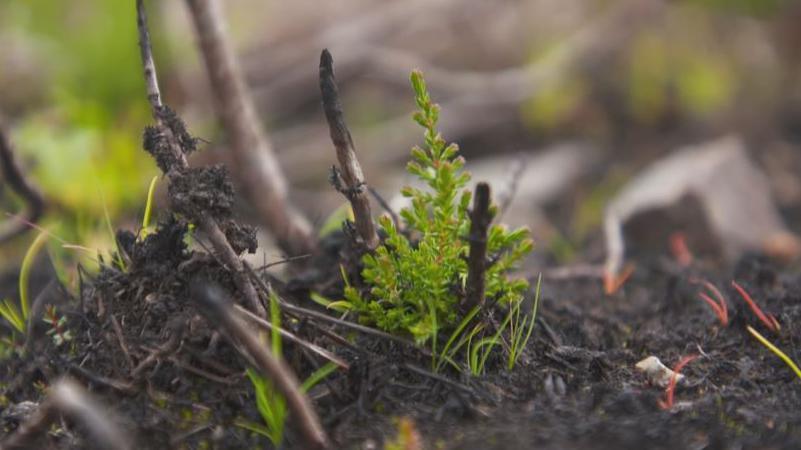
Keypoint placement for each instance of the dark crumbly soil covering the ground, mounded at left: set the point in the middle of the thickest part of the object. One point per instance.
(141, 345)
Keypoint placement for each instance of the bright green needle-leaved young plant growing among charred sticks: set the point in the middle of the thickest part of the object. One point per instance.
(417, 277)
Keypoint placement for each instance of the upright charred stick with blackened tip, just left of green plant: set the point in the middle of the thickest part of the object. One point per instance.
(349, 167)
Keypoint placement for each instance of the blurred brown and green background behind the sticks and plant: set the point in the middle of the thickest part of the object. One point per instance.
(562, 102)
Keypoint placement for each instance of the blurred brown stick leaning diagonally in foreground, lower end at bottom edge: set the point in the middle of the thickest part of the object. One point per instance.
(217, 309)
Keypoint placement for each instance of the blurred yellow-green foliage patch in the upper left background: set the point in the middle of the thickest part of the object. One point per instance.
(86, 139)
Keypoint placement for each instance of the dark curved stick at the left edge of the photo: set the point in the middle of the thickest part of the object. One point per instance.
(12, 173)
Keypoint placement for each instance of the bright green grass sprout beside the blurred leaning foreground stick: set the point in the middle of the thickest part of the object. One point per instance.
(269, 401)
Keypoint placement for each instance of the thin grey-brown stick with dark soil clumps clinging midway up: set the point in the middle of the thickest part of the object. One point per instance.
(206, 224)
